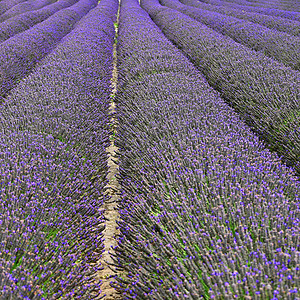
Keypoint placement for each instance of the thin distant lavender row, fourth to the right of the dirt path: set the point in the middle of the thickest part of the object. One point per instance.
(277, 23)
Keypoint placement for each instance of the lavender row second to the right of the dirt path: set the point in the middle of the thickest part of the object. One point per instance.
(263, 91)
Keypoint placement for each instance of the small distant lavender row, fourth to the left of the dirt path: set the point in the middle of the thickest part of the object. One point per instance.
(23, 7)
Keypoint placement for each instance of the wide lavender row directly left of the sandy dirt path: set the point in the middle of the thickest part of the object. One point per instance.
(54, 134)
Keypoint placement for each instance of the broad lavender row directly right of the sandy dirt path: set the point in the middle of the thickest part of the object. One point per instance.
(206, 210)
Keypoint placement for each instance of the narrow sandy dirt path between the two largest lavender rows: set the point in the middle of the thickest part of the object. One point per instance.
(111, 214)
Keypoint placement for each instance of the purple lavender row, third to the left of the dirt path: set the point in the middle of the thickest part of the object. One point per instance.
(20, 23)
